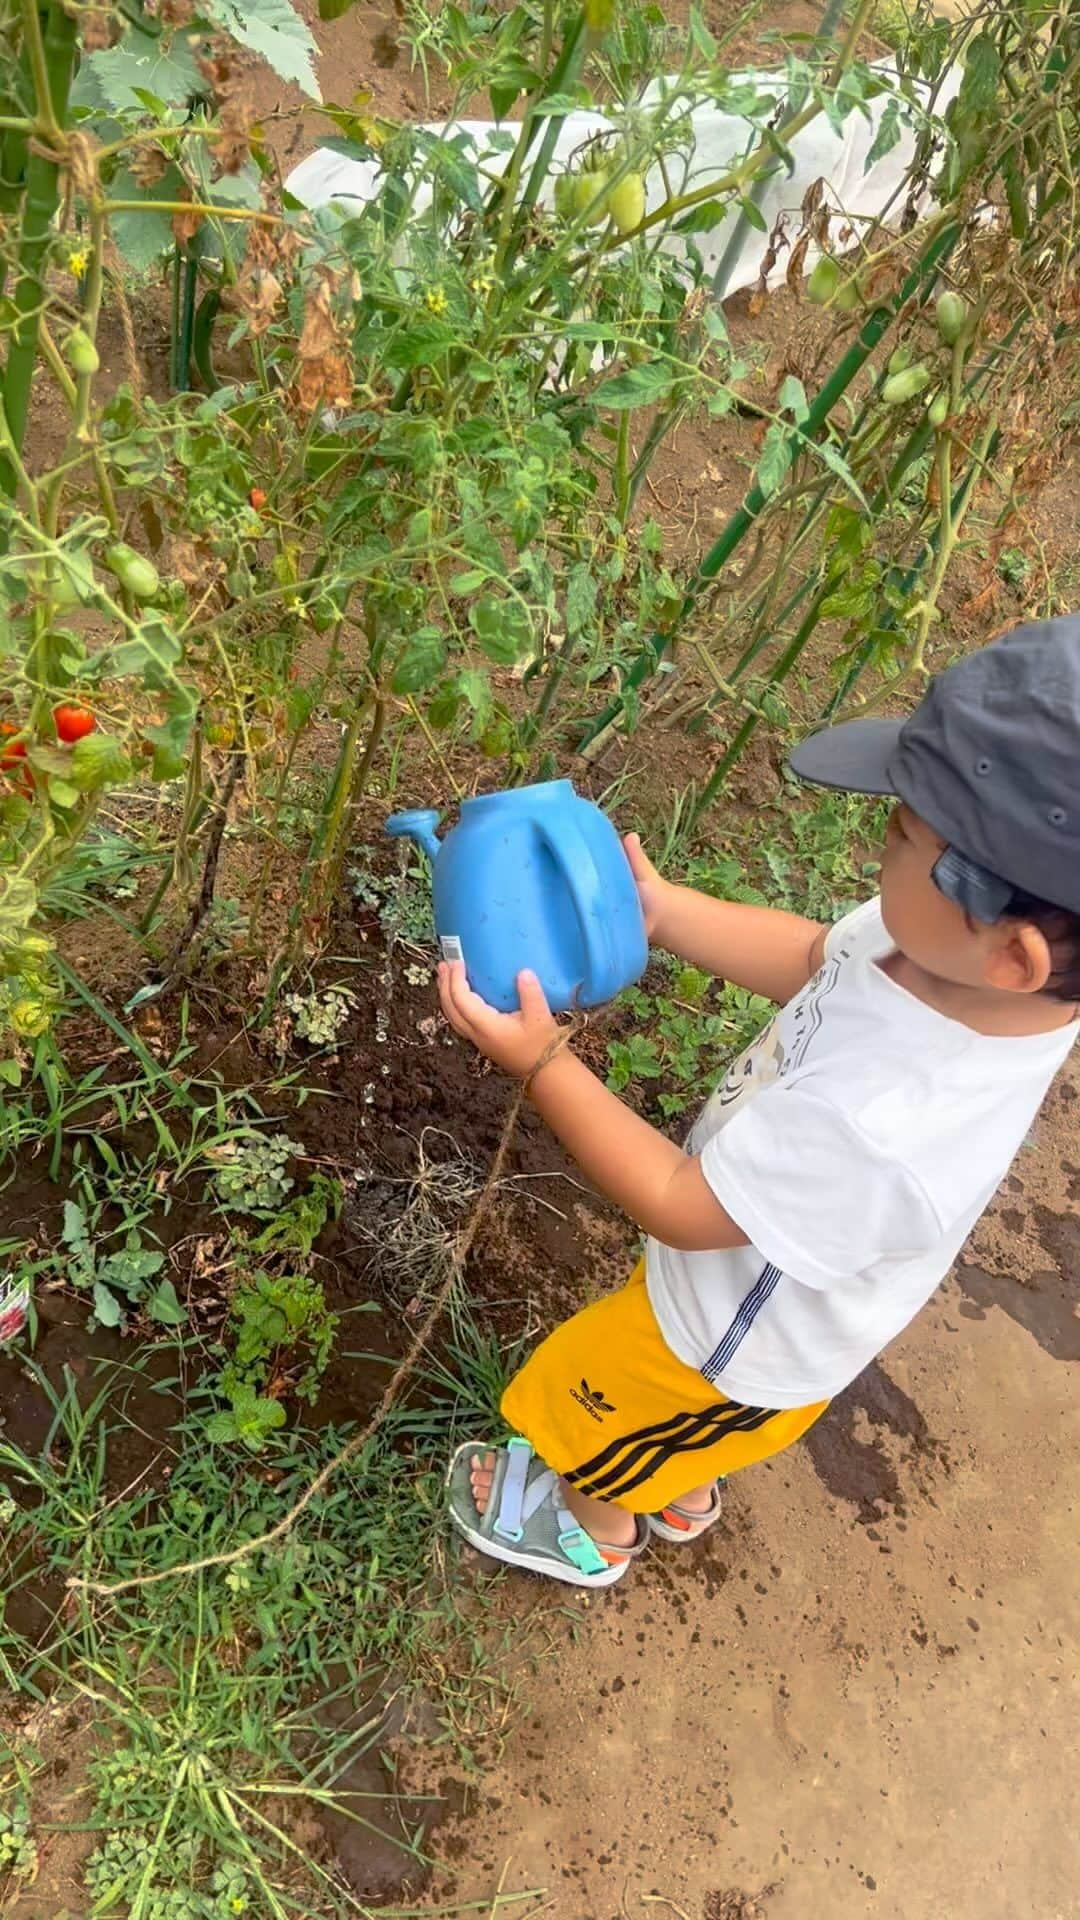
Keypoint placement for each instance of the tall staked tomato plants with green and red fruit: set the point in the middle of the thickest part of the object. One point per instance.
(454, 395)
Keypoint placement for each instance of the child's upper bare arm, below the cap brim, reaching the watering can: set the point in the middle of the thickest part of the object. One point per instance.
(756, 948)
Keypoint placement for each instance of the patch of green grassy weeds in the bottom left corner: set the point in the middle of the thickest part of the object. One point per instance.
(212, 1702)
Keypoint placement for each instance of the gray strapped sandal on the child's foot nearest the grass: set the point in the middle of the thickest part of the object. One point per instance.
(528, 1524)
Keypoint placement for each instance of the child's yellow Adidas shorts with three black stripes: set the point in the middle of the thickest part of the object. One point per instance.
(610, 1406)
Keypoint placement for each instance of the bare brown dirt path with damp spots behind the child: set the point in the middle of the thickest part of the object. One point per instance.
(860, 1696)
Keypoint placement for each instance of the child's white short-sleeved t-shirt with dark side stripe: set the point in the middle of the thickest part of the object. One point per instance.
(856, 1145)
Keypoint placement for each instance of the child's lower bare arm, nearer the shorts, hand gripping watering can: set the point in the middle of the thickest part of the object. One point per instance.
(635, 1166)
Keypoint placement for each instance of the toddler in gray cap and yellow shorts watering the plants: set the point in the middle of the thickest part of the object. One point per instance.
(839, 1170)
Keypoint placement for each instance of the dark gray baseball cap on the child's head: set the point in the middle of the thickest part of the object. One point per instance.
(991, 759)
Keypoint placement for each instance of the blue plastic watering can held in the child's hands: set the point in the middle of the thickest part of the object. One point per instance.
(533, 878)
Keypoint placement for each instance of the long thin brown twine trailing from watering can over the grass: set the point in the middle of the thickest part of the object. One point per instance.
(456, 1266)
